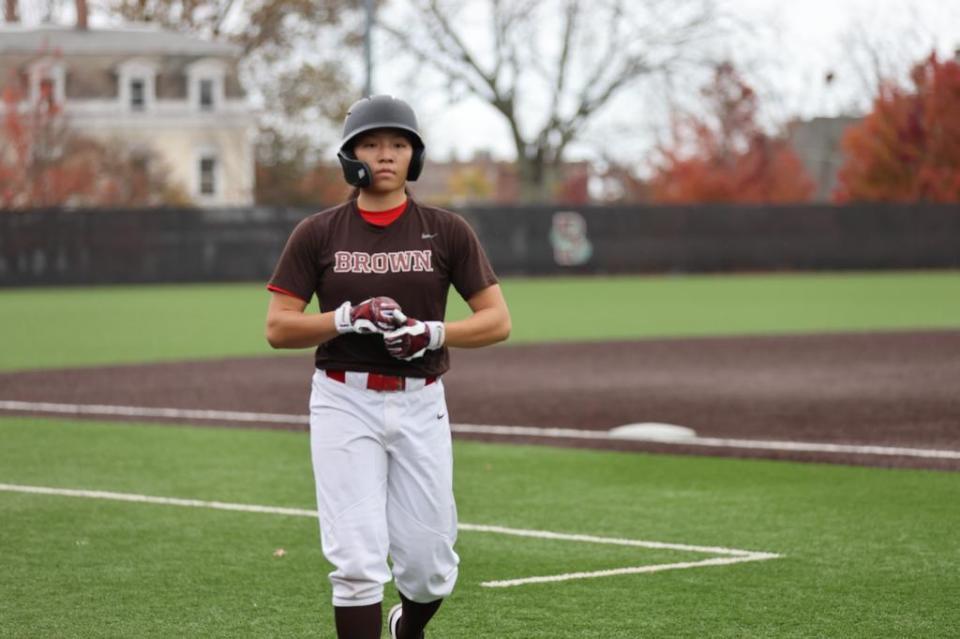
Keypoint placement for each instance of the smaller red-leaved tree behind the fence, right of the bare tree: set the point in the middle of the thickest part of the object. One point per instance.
(726, 156)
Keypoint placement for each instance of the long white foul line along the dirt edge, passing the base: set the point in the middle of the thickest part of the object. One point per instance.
(482, 429)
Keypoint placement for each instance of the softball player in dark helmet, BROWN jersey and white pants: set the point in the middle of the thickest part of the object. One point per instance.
(381, 265)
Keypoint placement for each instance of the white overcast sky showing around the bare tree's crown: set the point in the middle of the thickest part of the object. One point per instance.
(794, 45)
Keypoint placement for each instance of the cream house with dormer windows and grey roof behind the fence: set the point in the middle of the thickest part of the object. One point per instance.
(175, 94)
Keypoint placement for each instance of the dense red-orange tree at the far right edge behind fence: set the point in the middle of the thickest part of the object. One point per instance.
(908, 148)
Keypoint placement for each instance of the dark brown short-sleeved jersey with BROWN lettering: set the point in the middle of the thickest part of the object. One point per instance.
(338, 256)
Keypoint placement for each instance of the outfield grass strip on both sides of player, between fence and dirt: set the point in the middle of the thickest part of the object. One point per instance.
(51, 328)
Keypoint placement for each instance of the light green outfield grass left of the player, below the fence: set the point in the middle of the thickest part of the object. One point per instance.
(83, 326)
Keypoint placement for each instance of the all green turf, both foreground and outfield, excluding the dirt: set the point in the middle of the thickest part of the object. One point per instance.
(866, 552)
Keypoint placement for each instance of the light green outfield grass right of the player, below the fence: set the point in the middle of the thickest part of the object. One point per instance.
(673, 306)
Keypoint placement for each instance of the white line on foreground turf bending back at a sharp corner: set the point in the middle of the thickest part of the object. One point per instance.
(733, 555)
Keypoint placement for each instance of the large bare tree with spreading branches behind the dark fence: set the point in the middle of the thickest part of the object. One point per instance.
(550, 66)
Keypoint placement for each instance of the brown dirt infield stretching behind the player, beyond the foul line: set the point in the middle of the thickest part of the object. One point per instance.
(885, 389)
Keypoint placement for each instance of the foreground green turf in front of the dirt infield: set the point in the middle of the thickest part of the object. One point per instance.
(867, 552)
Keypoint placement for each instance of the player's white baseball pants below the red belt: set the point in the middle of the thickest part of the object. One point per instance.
(383, 467)
